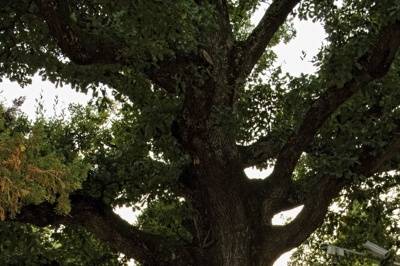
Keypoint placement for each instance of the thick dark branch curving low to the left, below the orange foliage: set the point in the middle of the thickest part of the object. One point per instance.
(100, 220)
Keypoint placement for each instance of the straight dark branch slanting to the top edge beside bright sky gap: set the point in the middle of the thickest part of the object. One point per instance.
(251, 50)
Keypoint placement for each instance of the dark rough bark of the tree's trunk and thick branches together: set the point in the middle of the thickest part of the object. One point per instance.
(232, 225)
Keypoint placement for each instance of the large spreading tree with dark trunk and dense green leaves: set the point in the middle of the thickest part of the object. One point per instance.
(197, 99)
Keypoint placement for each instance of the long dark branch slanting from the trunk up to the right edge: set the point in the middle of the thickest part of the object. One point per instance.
(375, 64)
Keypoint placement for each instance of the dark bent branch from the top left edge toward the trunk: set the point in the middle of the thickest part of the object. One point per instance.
(85, 48)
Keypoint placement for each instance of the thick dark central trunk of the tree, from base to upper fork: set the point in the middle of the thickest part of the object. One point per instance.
(230, 227)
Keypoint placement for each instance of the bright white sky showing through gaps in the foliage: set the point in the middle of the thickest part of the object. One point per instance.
(308, 39)
